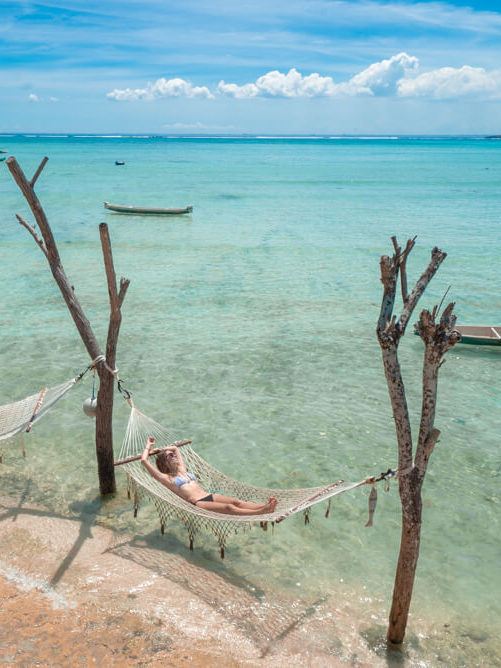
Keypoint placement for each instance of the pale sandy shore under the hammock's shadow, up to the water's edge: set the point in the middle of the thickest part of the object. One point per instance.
(77, 594)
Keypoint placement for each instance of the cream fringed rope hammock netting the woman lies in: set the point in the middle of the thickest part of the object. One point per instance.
(171, 506)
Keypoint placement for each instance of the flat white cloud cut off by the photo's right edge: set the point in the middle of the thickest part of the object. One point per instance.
(450, 82)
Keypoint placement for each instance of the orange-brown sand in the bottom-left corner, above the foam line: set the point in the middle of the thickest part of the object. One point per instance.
(32, 632)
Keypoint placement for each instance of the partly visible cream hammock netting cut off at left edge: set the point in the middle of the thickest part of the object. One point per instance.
(20, 415)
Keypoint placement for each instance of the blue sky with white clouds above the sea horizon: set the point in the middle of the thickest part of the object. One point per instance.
(253, 66)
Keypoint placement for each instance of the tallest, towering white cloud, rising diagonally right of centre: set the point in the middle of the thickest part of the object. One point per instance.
(380, 78)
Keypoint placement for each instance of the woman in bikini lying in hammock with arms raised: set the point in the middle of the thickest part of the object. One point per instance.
(171, 472)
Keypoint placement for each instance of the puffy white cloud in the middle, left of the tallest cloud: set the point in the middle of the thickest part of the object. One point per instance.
(278, 84)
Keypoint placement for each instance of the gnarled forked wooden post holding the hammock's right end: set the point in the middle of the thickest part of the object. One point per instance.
(438, 337)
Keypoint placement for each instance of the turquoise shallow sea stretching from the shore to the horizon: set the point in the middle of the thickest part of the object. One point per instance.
(249, 326)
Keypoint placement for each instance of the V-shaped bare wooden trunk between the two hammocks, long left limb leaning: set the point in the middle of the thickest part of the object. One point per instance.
(47, 244)
